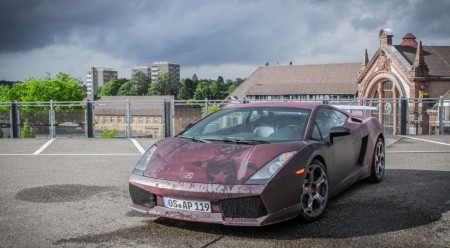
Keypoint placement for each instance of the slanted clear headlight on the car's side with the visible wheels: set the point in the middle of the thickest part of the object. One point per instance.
(266, 172)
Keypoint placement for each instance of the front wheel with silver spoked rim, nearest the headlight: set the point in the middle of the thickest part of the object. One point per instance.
(314, 196)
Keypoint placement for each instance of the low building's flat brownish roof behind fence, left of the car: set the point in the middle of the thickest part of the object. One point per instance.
(140, 105)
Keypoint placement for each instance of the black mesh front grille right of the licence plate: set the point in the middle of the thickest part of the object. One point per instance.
(246, 207)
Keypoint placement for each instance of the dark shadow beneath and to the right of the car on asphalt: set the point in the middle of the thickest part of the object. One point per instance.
(405, 199)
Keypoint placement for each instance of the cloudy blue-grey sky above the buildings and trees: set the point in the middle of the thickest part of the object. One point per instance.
(228, 38)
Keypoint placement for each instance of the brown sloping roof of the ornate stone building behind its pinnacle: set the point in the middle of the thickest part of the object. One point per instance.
(437, 58)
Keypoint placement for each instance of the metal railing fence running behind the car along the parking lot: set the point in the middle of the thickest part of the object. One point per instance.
(158, 119)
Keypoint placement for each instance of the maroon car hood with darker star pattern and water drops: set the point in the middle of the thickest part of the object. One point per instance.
(178, 159)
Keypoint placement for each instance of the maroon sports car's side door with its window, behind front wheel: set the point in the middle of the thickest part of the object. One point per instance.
(341, 150)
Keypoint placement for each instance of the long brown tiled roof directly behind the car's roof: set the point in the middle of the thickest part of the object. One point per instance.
(301, 79)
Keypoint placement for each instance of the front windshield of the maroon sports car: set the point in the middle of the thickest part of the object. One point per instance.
(250, 125)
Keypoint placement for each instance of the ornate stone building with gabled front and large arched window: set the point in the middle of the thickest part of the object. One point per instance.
(409, 70)
